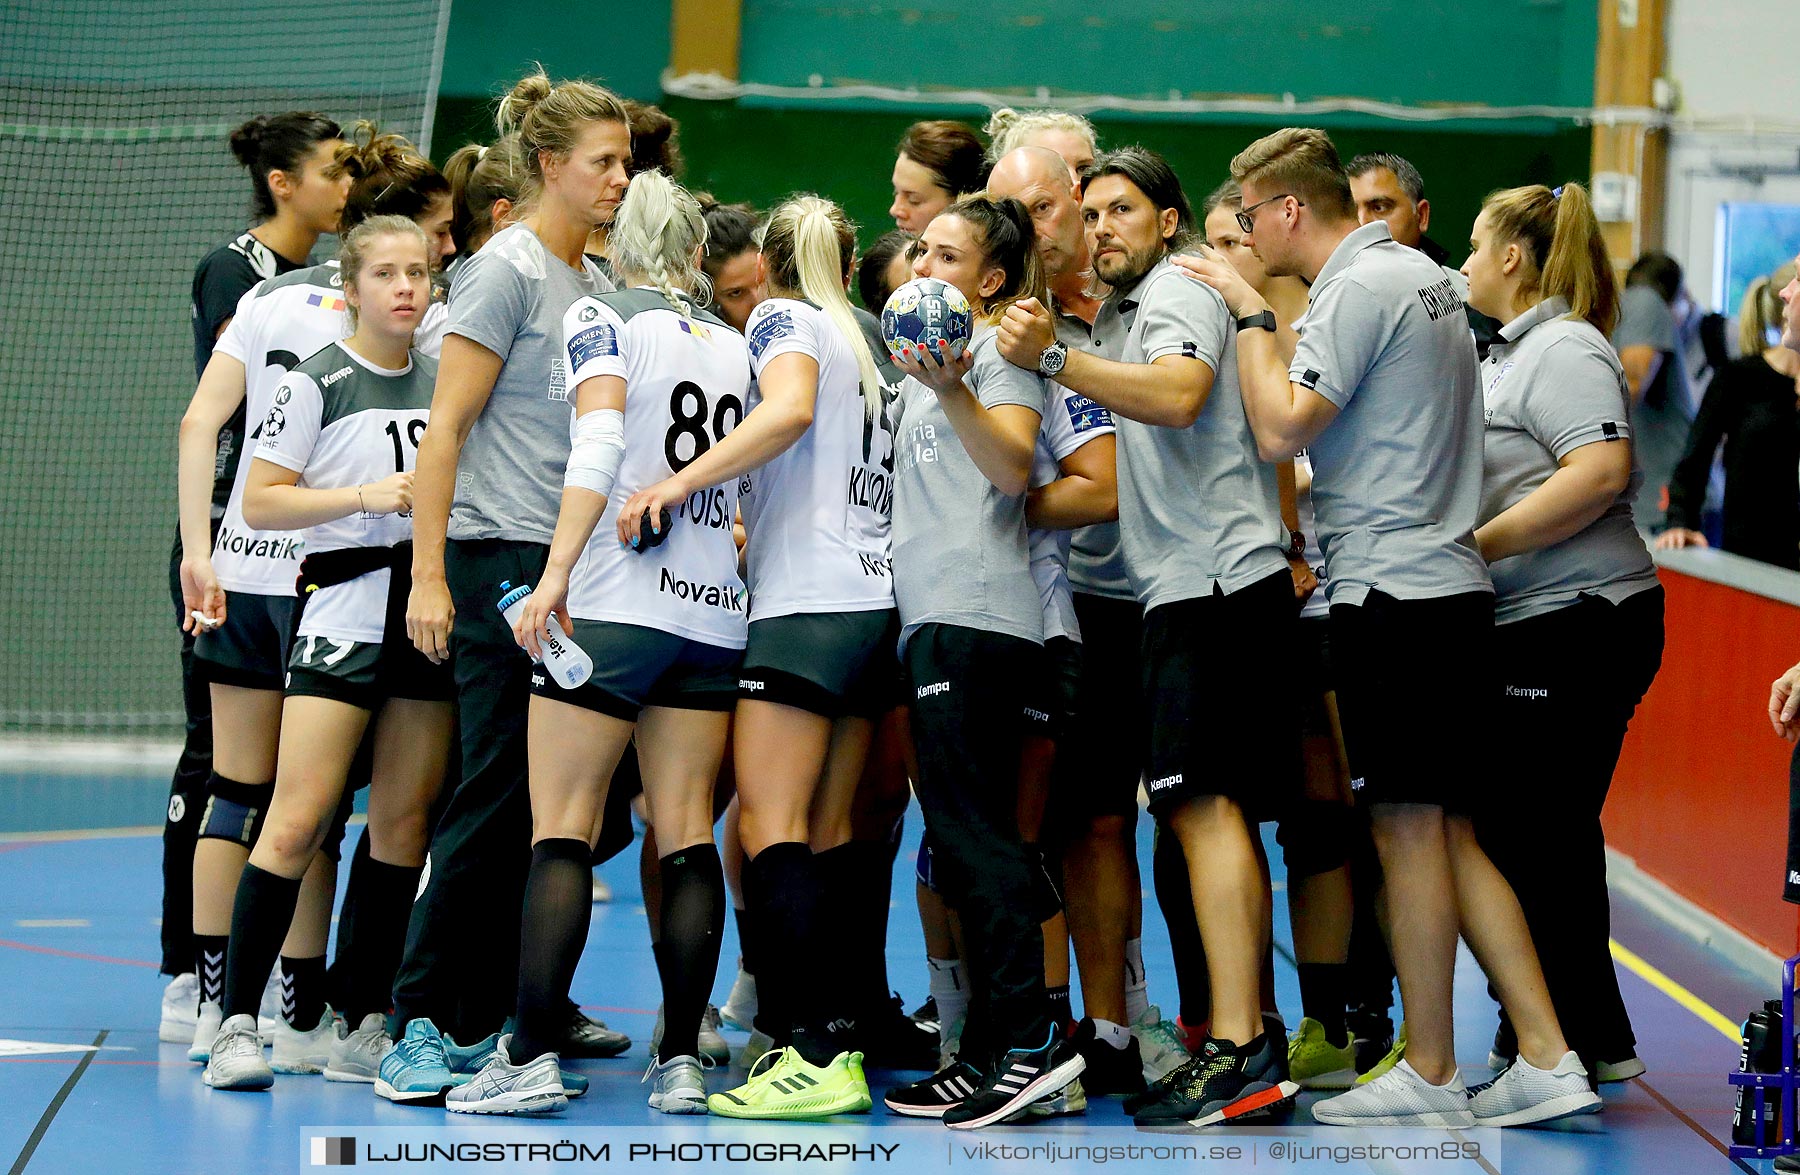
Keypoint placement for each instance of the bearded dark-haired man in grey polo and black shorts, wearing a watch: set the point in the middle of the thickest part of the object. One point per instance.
(1207, 555)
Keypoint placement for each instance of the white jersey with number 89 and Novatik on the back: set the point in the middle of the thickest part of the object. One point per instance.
(687, 381)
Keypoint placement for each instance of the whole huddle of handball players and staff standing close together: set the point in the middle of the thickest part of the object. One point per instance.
(1252, 508)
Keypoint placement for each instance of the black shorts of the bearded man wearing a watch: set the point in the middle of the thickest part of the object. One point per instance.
(1219, 683)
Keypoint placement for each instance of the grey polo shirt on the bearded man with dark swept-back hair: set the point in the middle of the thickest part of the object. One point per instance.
(1198, 507)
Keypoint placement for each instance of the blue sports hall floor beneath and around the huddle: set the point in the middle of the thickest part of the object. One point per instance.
(87, 1088)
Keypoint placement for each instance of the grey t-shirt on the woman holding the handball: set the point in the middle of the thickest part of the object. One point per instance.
(958, 543)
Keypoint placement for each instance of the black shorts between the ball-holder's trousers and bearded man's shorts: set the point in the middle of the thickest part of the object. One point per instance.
(1101, 757)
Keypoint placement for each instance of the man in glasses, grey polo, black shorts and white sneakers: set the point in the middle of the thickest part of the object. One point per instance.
(1385, 399)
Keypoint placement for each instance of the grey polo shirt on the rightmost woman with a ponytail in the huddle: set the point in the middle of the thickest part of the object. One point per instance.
(1554, 384)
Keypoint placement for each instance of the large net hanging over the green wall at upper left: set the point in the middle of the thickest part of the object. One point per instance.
(114, 183)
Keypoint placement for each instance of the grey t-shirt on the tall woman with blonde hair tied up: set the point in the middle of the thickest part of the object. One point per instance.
(510, 298)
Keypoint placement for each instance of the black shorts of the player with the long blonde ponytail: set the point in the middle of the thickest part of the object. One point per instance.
(840, 665)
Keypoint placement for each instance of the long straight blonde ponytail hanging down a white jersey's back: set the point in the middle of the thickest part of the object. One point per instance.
(809, 249)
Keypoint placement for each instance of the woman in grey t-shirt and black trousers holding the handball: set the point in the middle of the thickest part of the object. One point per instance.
(973, 638)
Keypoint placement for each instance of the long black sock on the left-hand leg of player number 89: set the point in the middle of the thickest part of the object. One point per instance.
(553, 931)
